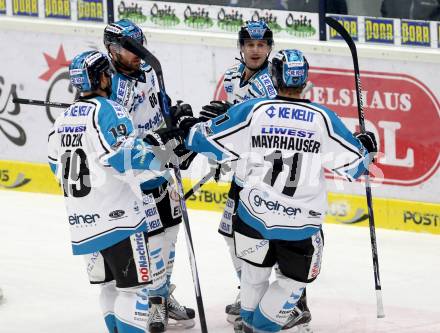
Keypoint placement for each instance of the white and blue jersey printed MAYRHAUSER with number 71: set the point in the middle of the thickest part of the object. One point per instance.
(286, 144)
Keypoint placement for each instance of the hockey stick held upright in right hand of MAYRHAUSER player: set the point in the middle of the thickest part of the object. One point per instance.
(346, 36)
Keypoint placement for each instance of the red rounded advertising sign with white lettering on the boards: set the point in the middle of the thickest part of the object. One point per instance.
(402, 112)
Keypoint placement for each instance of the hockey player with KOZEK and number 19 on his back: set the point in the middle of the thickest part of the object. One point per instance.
(96, 156)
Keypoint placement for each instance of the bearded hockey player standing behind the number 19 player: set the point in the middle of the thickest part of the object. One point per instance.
(135, 87)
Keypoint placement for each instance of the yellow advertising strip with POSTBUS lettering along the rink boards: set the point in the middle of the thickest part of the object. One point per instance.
(343, 208)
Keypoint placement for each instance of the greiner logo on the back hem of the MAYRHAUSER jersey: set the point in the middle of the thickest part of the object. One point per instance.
(261, 204)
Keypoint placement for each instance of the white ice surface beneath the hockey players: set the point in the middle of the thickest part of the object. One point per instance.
(46, 288)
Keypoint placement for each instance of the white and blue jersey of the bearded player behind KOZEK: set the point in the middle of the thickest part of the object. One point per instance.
(139, 96)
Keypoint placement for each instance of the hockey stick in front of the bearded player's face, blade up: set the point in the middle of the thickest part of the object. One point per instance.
(149, 58)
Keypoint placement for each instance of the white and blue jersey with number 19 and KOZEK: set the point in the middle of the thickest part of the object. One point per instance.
(96, 156)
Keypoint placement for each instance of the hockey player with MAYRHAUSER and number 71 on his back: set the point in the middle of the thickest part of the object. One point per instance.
(286, 143)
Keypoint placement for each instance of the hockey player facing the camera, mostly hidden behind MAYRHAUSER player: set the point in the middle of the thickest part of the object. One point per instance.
(246, 80)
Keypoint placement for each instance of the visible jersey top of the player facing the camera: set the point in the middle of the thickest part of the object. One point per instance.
(259, 85)
